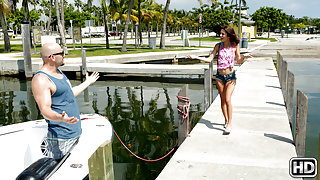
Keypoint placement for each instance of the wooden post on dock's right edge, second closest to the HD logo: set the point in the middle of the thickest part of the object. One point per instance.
(290, 94)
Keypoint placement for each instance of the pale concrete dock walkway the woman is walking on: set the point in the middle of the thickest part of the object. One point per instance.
(260, 144)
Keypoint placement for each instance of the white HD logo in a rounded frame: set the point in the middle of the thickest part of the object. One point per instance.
(303, 167)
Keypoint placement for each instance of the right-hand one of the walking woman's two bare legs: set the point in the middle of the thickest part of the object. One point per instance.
(228, 90)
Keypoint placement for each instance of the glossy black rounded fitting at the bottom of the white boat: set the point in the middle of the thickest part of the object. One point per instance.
(38, 170)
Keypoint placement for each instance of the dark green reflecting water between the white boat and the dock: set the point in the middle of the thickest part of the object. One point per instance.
(144, 115)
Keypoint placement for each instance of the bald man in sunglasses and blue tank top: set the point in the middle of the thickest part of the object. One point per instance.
(56, 100)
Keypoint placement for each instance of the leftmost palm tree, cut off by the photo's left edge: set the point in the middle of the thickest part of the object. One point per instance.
(4, 10)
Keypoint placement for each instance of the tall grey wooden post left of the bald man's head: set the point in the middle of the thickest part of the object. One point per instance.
(25, 32)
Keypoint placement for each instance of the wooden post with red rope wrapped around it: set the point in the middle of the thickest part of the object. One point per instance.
(182, 122)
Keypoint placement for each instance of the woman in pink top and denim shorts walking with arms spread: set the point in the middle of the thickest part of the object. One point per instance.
(227, 50)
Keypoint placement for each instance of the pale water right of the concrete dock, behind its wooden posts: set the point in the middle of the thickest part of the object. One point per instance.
(307, 79)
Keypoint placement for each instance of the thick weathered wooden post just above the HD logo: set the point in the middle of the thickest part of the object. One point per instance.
(301, 123)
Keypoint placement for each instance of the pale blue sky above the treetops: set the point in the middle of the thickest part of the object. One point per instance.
(297, 8)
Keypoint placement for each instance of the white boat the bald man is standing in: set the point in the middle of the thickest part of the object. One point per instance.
(24, 144)
